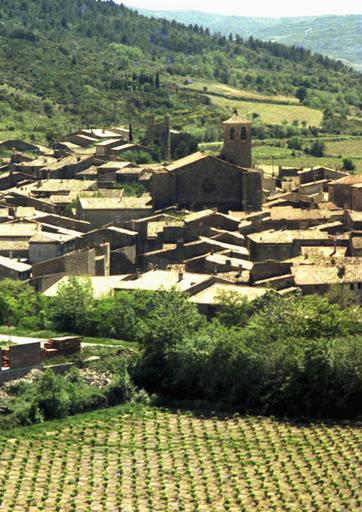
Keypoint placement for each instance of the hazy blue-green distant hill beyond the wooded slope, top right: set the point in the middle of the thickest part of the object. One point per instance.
(338, 37)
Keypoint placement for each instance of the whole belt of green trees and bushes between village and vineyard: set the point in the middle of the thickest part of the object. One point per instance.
(299, 356)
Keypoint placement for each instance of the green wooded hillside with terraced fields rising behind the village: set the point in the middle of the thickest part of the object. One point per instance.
(86, 62)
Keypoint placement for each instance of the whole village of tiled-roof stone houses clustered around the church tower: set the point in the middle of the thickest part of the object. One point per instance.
(205, 223)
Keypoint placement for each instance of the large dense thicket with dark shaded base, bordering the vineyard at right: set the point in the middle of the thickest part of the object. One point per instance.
(300, 356)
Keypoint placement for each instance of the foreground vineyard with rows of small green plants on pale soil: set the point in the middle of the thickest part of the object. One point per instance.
(146, 460)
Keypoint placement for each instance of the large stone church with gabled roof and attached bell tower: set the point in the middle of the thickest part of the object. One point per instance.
(202, 181)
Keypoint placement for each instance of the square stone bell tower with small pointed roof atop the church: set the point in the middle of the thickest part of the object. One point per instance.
(237, 141)
